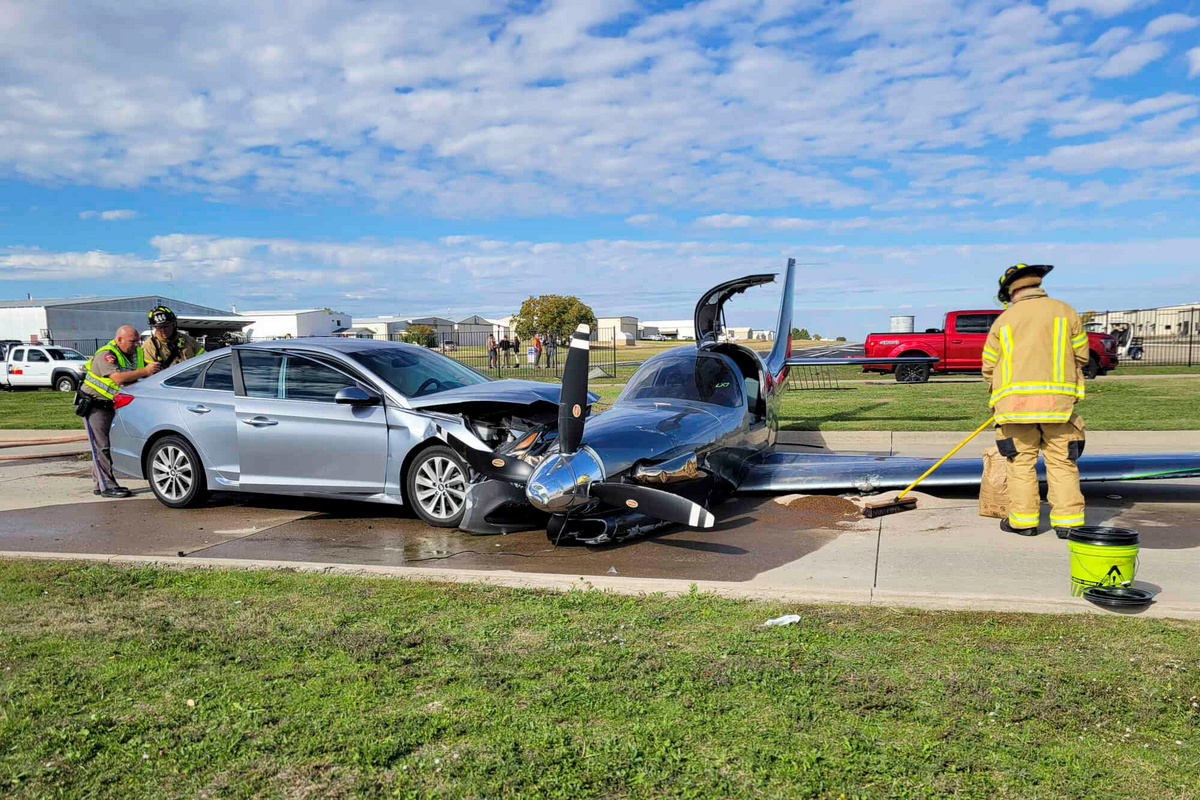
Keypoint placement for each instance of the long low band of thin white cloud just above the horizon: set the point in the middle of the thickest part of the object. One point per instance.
(478, 275)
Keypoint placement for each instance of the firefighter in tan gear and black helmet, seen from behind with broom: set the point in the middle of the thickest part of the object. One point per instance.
(1034, 362)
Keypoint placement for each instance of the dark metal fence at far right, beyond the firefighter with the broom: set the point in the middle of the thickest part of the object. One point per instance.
(1151, 338)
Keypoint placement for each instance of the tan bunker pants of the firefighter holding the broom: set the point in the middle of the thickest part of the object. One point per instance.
(1061, 444)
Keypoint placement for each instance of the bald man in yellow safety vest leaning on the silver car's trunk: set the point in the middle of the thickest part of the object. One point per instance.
(118, 364)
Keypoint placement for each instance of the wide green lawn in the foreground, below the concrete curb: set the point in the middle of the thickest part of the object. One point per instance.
(137, 683)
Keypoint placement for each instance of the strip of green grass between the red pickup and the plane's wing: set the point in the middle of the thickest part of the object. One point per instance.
(1159, 405)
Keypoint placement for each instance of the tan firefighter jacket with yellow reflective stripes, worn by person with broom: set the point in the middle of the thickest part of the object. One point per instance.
(1033, 360)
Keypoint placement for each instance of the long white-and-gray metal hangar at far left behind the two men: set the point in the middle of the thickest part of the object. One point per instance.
(76, 322)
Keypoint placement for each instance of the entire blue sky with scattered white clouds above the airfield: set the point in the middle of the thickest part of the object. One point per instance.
(459, 157)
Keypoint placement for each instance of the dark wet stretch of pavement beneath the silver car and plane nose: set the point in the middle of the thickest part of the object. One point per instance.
(753, 536)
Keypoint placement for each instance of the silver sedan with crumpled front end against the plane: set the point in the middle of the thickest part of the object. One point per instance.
(338, 418)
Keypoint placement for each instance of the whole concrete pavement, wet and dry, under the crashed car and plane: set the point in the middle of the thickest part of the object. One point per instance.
(943, 556)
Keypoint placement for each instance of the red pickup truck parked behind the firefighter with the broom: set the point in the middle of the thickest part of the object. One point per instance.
(959, 347)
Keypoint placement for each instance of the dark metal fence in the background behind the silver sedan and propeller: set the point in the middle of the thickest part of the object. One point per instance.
(467, 347)
